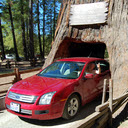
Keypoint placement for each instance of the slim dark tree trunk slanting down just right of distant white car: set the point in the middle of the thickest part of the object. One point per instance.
(13, 32)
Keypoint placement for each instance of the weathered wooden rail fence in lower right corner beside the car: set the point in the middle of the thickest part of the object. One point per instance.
(102, 117)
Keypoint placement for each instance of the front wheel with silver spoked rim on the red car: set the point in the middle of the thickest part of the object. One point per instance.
(71, 107)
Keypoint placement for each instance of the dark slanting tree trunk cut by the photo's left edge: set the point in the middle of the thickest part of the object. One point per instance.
(1, 42)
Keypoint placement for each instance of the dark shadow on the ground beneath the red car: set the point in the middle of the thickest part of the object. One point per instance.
(83, 113)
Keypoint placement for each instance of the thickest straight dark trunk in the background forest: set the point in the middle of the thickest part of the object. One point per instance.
(31, 41)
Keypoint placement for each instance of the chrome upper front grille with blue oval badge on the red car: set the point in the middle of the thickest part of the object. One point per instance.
(22, 98)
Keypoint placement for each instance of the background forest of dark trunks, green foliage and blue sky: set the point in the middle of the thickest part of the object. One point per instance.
(27, 27)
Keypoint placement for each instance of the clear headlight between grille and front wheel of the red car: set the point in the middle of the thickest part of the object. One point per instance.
(46, 98)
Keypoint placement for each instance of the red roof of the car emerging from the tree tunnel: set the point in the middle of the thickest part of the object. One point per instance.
(80, 59)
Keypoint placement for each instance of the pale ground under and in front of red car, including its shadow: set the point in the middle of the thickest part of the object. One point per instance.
(8, 120)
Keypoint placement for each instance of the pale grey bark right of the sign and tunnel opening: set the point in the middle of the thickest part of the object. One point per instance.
(117, 42)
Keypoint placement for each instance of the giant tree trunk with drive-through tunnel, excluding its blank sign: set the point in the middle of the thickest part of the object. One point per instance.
(113, 33)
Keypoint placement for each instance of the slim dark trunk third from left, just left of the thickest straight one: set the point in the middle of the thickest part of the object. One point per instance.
(23, 31)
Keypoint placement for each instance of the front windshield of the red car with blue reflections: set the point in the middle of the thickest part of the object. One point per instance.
(65, 70)
